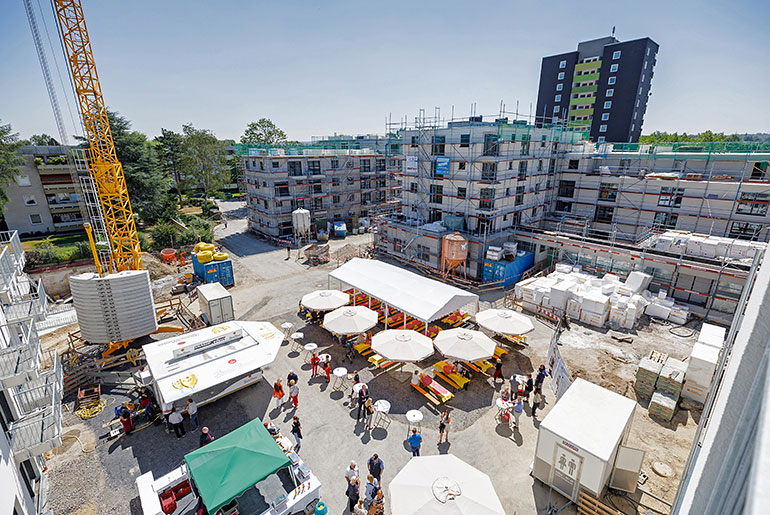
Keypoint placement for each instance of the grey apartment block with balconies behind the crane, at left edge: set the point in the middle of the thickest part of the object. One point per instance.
(44, 197)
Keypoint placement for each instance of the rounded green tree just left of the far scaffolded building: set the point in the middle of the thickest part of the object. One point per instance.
(205, 161)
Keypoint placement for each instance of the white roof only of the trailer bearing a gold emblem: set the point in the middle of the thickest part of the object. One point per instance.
(179, 377)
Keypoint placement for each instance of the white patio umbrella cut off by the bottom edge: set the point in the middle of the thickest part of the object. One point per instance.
(445, 485)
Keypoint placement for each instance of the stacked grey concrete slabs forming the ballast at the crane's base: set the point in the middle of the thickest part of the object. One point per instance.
(114, 308)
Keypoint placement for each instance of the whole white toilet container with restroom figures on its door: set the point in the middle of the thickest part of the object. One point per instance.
(579, 439)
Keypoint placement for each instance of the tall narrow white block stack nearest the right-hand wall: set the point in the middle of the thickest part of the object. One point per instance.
(702, 363)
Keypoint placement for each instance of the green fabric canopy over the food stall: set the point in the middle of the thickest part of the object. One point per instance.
(228, 466)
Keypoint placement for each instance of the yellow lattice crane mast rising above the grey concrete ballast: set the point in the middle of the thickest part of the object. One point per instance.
(103, 163)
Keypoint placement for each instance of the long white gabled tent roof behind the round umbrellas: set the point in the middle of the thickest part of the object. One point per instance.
(417, 296)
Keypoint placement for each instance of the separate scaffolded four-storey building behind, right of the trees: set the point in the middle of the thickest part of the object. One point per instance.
(334, 182)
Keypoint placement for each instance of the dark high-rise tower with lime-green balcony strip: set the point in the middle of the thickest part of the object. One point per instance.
(604, 85)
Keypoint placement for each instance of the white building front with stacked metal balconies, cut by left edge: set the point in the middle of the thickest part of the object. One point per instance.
(30, 386)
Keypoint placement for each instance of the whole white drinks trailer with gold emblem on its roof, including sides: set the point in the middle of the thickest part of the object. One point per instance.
(210, 363)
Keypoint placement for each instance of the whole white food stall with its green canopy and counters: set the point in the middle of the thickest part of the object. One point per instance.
(249, 470)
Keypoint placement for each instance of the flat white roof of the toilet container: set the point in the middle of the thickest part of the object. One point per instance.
(590, 417)
